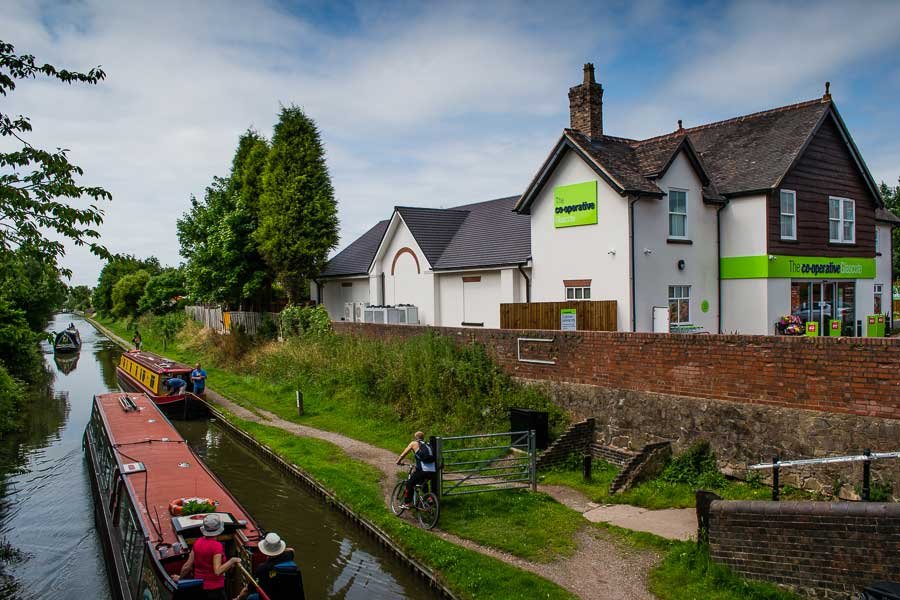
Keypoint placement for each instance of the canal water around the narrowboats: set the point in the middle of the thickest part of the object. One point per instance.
(46, 518)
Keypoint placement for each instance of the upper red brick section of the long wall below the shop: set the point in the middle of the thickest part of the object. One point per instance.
(842, 375)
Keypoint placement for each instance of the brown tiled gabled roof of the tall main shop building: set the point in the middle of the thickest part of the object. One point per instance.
(745, 154)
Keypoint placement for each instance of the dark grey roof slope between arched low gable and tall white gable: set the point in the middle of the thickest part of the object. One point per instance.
(492, 234)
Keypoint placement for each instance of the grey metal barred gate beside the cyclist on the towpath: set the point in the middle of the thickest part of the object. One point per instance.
(469, 464)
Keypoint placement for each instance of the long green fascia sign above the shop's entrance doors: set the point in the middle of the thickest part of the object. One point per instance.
(796, 267)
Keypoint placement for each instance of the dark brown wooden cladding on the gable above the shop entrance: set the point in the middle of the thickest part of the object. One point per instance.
(826, 168)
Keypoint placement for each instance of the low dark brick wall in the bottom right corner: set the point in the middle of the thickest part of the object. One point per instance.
(824, 550)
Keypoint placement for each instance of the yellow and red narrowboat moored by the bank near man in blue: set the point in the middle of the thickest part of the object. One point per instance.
(149, 373)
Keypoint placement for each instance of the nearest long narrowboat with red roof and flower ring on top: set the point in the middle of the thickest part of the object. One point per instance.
(143, 476)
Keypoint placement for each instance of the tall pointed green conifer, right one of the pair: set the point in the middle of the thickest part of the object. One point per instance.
(298, 214)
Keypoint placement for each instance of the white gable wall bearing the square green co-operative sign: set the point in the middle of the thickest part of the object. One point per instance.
(582, 252)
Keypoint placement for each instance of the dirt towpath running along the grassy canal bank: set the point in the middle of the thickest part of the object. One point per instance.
(602, 568)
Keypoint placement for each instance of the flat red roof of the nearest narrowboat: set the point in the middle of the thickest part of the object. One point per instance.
(171, 470)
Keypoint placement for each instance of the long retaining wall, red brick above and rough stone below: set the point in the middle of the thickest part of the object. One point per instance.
(751, 397)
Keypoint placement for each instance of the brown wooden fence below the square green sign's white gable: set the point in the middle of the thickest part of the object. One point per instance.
(591, 315)
